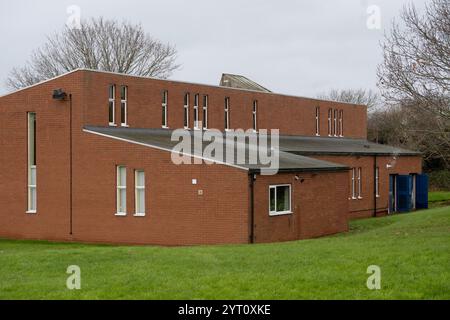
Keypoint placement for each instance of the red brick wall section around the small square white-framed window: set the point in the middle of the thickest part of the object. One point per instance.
(319, 204)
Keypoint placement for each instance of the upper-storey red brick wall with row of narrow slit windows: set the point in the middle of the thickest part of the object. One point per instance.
(293, 116)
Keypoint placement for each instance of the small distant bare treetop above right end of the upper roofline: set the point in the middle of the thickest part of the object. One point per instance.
(368, 98)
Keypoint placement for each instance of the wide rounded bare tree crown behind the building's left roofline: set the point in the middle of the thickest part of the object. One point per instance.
(99, 44)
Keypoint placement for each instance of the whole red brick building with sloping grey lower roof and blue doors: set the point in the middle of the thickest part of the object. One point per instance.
(92, 162)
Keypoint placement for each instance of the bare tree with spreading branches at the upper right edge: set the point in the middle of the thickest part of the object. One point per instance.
(416, 65)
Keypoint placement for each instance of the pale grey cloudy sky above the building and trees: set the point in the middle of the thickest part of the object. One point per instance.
(293, 47)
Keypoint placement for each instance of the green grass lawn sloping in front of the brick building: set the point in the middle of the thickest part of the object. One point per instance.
(413, 251)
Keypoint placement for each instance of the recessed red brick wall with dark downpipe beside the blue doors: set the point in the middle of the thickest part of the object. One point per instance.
(364, 207)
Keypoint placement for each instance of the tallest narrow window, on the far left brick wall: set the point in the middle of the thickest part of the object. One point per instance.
(32, 194)
